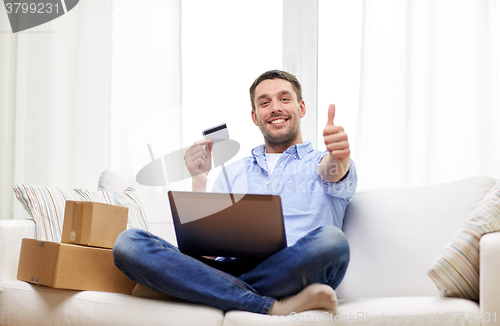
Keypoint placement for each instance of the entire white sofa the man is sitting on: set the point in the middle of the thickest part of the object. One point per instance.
(394, 235)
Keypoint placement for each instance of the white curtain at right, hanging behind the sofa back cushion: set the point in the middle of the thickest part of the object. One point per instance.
(428, 104)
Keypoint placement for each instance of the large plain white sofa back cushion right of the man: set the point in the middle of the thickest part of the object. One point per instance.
(396, 234)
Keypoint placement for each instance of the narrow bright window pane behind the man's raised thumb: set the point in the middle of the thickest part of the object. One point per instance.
(339, 37)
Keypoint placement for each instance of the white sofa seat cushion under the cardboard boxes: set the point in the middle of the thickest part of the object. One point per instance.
(26, 304)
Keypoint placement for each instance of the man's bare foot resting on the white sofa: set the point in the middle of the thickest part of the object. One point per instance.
(314, 296)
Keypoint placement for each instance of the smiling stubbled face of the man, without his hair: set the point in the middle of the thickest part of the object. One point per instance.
(277, 112)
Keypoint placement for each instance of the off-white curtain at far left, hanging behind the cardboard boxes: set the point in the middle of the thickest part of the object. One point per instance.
(54, 102)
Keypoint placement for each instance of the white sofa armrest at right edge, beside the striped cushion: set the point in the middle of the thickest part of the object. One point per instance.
(489, 283)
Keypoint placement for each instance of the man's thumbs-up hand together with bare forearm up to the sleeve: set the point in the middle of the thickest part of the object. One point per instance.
(334, 165)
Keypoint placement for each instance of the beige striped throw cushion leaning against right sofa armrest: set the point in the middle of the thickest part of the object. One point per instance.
(456, 270)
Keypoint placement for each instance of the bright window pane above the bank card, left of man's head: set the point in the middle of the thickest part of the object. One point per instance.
(222, 53)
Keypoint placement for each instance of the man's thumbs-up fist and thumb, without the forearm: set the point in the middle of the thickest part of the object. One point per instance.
(335, 138)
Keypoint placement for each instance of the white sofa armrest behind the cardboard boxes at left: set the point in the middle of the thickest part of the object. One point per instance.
(11, 234)
